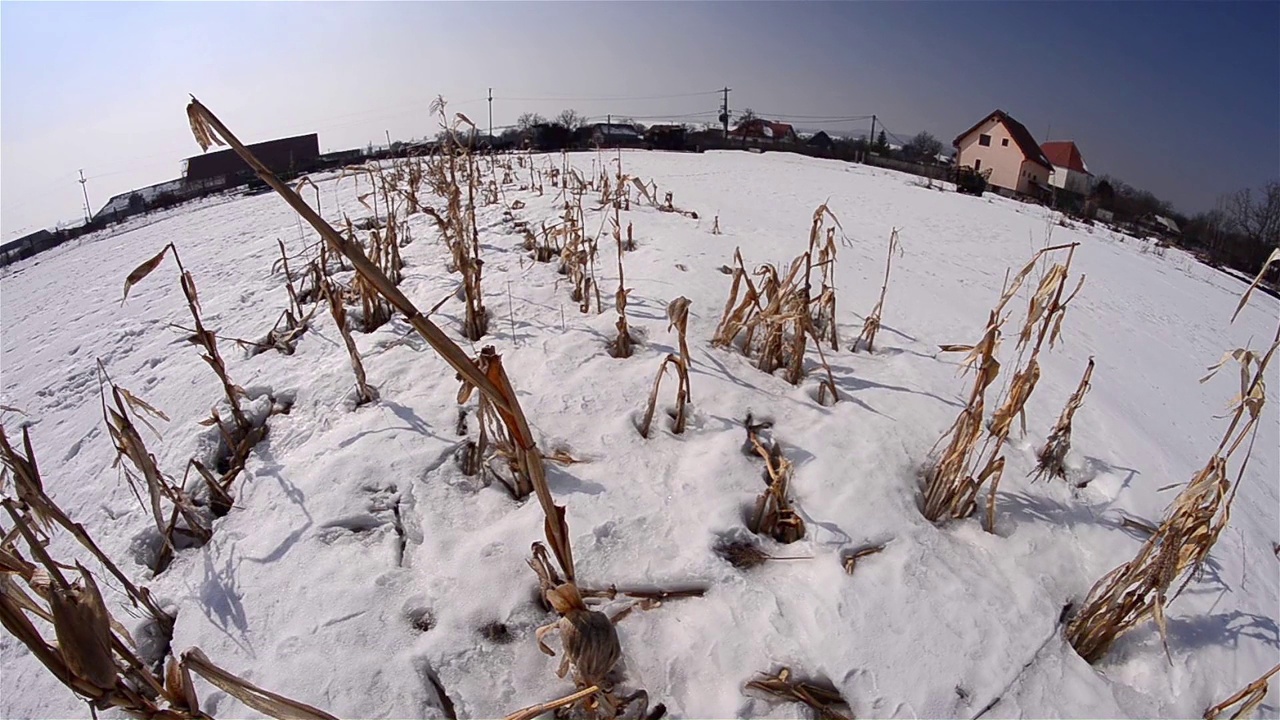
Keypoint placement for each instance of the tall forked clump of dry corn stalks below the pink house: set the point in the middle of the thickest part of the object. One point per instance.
(963, 468)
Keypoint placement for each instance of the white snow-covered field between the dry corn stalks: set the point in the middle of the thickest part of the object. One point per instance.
(305, 590)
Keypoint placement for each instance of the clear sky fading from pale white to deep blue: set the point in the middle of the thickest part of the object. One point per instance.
(1182, 99)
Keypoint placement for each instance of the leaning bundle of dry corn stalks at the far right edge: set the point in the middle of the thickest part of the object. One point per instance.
(1139, 590)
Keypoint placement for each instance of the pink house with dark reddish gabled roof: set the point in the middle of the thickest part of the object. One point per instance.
(1007, 148)
